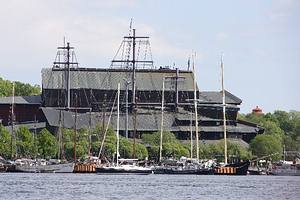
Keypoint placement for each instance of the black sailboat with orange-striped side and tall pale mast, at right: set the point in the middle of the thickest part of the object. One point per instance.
(239, 168)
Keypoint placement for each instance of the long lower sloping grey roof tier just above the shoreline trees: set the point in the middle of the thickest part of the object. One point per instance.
(145, 122)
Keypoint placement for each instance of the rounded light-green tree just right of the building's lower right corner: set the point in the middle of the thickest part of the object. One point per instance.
(264, 145)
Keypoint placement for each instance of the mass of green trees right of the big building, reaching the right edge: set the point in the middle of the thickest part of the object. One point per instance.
(282, 131)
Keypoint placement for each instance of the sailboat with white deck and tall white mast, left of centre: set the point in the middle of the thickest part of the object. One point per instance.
(122, 166)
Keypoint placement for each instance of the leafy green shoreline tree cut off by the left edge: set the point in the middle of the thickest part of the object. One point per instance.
(5, 143)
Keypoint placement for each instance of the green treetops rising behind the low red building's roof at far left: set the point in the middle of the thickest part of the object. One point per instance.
(21, 89)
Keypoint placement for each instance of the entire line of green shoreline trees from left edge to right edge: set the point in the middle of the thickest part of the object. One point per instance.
(282, 129)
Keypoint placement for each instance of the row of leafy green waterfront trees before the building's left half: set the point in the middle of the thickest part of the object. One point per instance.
(45, 144)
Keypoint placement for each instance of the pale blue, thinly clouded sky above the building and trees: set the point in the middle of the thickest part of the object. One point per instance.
(259, 40)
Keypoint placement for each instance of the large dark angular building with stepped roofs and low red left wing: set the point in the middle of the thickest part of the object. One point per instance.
(92, 93)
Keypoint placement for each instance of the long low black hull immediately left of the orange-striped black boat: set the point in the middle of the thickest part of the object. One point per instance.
(184, 172)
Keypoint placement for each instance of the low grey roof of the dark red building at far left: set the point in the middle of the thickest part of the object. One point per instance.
(21, 100)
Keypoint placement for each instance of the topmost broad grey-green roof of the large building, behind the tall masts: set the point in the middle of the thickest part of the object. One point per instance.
(107, 79)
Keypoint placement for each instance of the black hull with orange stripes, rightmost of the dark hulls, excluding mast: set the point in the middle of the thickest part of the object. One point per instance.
(240, 168)
